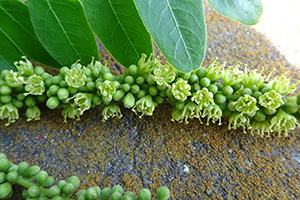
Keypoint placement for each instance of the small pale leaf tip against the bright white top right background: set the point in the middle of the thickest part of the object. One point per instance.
(246, 12)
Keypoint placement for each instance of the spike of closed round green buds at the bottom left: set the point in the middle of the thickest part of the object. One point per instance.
(39, 186)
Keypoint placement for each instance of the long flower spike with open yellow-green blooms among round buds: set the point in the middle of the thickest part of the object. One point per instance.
(249, 99)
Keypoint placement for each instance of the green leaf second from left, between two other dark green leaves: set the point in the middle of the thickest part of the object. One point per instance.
(62, 28)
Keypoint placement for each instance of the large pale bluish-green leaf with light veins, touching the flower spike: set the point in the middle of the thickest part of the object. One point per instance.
(178, 28)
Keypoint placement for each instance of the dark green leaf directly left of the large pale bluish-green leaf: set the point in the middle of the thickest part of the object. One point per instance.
(120, 29)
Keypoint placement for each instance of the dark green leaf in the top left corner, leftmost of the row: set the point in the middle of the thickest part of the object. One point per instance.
(18, 37)
